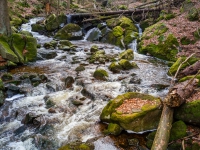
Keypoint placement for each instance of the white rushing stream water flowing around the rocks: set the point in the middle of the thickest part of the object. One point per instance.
(70, 123)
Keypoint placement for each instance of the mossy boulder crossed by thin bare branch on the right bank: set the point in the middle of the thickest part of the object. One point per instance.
(175, 66)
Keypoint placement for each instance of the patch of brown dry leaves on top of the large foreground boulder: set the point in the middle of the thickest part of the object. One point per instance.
(133, 105)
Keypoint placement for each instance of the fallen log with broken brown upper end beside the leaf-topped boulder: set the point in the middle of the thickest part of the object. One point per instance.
(176, 96)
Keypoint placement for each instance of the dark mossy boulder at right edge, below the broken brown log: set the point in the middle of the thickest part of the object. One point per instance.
(189, 112)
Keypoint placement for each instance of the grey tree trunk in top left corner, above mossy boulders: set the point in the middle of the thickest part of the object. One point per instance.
(4, 18)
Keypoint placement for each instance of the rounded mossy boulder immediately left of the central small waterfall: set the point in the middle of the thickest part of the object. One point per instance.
(70, 32)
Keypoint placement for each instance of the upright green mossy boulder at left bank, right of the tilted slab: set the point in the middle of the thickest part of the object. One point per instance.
(25, 47)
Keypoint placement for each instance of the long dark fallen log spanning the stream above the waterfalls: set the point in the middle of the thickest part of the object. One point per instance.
(81, 16)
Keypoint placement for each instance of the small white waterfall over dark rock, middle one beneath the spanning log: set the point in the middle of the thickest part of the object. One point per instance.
(93, 34)
